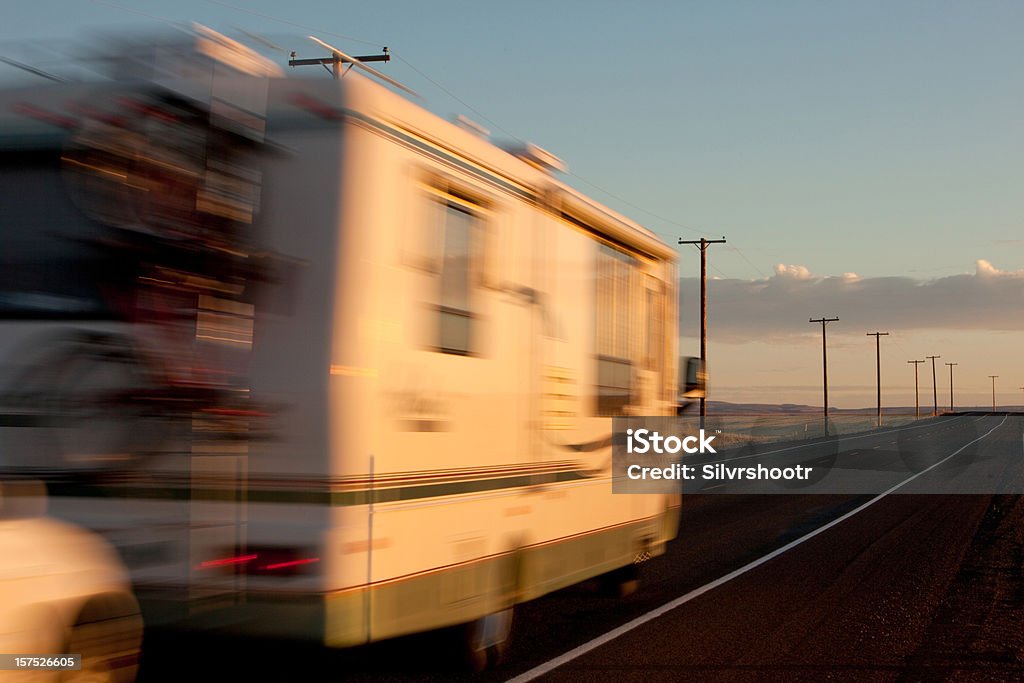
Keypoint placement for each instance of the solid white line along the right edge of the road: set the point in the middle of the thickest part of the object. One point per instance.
(698, 592)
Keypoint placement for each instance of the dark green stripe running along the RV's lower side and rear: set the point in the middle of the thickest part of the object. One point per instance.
(309, 497)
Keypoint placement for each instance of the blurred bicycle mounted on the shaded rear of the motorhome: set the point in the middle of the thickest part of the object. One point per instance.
(176, 195)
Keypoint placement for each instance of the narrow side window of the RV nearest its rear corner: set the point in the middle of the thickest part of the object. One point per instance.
(460, 232)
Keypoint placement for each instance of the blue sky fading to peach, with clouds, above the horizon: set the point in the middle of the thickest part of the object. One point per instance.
(865, 160)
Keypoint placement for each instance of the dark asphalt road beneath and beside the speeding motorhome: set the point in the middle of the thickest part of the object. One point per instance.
(795, 587)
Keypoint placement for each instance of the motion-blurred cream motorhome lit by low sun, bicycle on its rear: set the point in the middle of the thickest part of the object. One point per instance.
(319, 363)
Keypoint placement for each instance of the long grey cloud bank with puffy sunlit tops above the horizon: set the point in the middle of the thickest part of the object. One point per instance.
(781, 306)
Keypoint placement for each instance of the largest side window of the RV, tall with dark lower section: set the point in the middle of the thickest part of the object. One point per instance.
(615, 351)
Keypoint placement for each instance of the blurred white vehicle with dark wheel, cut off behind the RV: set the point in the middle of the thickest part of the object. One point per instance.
(63, 591)
